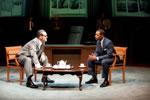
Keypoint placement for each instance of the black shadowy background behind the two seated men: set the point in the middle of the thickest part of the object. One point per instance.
(132, 32)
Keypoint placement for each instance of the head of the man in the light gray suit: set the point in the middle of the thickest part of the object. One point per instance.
(42, 35)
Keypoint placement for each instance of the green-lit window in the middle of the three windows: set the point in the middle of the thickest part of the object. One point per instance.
(68, 8)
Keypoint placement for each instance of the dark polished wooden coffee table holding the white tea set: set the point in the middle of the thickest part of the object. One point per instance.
(73, 71)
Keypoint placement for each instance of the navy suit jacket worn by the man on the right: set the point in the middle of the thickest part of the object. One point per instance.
(108, 49)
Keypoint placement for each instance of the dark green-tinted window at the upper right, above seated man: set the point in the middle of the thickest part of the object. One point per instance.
(138, 8)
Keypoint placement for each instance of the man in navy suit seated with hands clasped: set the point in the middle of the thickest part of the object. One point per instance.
(102, 56)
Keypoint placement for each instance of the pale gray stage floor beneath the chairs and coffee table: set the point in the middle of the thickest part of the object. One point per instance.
(137, 87)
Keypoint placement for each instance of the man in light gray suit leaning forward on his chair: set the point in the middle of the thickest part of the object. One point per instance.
(31, 54)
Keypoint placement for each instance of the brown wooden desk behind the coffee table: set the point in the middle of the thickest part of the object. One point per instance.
(74, 54)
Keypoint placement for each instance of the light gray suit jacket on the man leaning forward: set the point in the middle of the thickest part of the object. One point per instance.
(31, 49)
